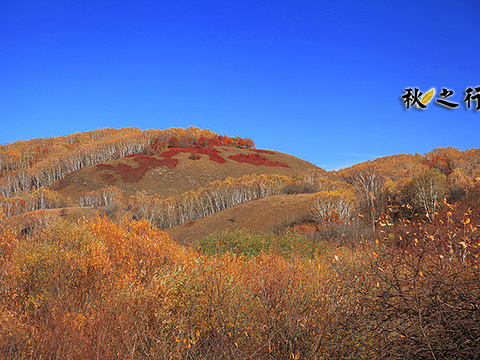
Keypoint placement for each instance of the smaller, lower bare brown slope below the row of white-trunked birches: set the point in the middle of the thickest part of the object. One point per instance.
(267, 214)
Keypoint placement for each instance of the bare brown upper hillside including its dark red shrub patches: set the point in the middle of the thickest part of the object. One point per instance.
(173, 175)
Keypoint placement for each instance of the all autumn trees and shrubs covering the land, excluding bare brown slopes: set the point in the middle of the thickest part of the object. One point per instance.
(383, 265)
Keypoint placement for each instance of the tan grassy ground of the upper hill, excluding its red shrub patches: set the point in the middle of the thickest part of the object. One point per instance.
(187, 175)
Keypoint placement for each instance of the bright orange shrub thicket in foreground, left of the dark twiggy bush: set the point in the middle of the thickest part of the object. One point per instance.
(105, 290)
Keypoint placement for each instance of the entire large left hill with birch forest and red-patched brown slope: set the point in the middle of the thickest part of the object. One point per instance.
(97, 167)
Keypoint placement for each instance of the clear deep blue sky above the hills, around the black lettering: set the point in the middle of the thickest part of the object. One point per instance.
(321, 80)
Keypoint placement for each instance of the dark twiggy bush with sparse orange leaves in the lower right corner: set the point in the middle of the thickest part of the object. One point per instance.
(423, 294)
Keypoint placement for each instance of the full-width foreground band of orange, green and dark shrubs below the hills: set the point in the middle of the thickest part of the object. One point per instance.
(103, 289)
